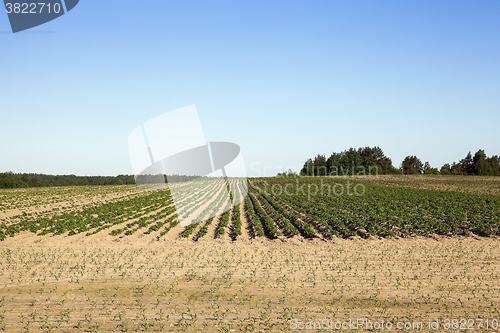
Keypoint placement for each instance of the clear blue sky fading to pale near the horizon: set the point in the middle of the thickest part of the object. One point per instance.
(286, 80)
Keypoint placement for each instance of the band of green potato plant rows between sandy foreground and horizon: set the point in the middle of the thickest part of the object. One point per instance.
(310, 207)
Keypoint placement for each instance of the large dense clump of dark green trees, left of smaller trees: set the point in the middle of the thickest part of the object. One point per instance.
(360, 162)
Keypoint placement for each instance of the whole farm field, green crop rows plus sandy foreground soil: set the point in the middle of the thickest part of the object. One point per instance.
(393, 253)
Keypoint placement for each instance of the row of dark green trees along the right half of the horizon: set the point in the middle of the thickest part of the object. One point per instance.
(371, 161)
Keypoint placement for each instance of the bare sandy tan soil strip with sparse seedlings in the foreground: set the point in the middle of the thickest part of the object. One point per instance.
(102, 283)
